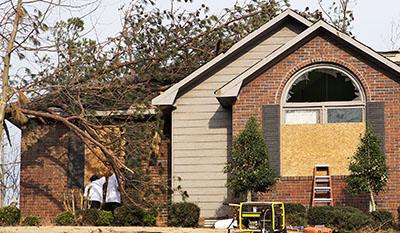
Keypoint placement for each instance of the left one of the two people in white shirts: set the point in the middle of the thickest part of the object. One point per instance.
(94, 191)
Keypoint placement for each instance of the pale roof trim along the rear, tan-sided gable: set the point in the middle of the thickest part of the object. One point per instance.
(169, 96)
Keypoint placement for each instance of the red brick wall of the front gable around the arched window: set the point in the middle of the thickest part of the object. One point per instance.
(379, 86)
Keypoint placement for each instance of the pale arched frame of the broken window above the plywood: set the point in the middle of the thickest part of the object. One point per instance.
(322, 106)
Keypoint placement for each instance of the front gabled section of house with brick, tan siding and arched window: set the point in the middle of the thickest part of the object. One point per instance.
(312, 87)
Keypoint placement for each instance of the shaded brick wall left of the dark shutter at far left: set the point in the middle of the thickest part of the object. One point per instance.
(44, 166)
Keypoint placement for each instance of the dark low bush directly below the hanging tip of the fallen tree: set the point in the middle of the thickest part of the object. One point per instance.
(129, 216)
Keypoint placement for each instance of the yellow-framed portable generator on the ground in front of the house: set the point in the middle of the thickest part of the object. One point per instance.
(264, 217)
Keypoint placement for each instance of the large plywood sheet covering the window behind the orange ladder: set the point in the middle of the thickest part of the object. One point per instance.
(304, 146)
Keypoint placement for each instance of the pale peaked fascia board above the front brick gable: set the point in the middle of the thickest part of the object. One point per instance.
(232, 88)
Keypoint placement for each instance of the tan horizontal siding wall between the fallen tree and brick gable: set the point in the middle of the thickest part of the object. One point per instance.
(202, 130)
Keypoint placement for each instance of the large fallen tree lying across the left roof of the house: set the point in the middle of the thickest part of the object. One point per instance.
(91, 85)
